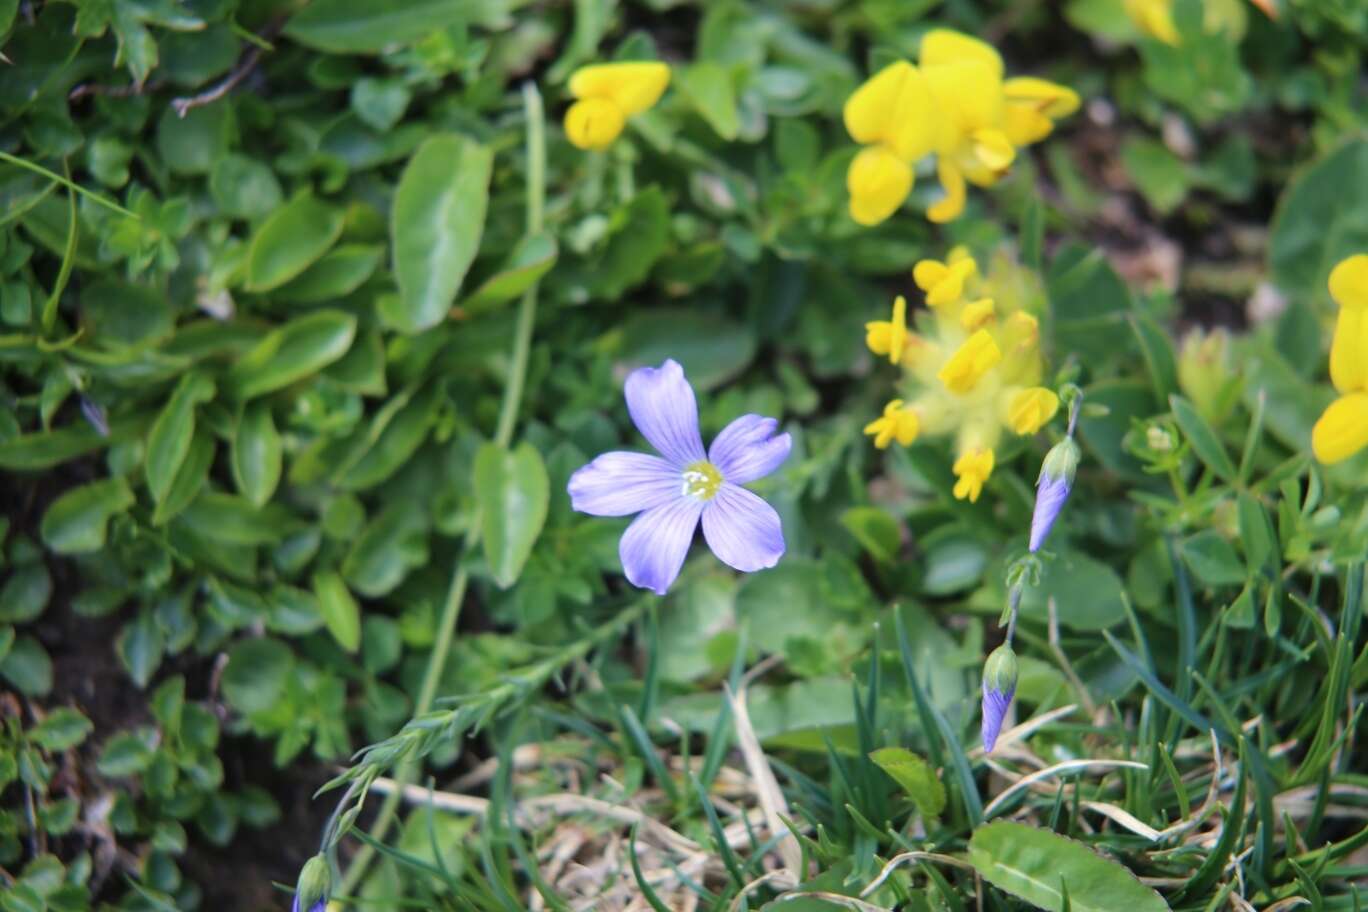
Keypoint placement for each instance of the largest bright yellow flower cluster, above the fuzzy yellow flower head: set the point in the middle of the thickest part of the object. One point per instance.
(954, 105)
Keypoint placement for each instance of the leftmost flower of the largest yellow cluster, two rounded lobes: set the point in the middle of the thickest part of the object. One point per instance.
(890, 116)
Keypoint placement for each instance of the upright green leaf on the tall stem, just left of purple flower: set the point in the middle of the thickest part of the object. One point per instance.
(514, 493)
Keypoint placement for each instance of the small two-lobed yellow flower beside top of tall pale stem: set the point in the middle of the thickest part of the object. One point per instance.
(608, 95)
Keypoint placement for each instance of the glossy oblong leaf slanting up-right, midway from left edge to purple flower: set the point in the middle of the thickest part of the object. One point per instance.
(299, 349)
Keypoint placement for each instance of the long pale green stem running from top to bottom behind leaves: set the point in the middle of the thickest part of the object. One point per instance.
(503, 435)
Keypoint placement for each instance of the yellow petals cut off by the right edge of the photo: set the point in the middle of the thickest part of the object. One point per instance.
(1343, 430)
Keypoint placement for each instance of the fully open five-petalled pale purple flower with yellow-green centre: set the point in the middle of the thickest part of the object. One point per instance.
(675, 493)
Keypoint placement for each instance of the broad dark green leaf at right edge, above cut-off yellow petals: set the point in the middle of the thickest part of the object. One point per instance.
(1322, 218)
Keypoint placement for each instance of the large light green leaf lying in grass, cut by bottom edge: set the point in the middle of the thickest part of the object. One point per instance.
(1035, 865)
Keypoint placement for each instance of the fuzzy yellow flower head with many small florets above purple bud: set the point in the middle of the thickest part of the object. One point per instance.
(972, 364)
